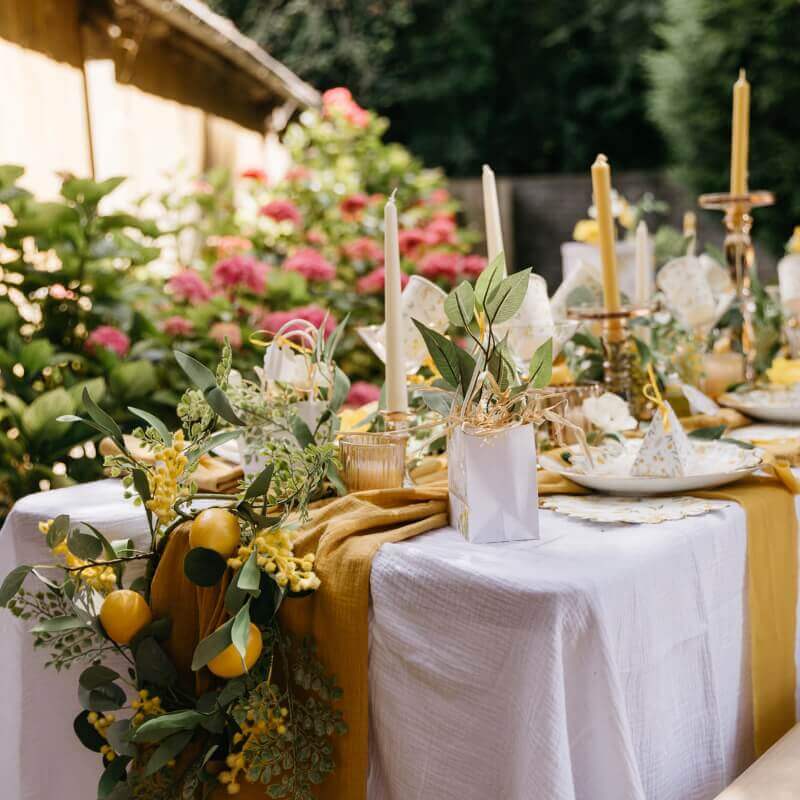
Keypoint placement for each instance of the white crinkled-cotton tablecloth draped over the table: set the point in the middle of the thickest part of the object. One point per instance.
(604, 662)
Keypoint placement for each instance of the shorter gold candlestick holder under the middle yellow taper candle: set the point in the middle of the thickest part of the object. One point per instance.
(622, 370)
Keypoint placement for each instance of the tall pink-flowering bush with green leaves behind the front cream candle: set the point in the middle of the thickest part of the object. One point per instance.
(309, 244)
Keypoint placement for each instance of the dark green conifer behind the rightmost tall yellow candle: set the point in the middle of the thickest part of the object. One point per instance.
(703, 45)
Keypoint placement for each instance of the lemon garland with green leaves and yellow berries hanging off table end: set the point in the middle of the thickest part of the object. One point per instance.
(250, 728)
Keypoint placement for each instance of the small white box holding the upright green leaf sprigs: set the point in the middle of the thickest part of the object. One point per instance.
(492, 484)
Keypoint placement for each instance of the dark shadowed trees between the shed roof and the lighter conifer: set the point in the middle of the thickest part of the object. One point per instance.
(529, 86)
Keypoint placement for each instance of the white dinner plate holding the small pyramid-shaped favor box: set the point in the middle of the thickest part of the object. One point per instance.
(713, 464)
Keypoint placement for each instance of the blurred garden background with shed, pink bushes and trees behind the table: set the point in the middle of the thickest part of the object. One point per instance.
(177, 174)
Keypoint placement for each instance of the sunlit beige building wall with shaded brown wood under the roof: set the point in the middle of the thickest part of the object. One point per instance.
(67, 86)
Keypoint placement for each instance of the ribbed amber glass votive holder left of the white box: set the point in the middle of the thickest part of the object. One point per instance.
(373, 460)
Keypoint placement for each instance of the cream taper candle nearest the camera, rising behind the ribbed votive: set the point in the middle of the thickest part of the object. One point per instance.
(396, 390)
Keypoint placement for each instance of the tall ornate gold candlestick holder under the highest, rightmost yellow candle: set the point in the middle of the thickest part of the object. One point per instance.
(740, 257)
